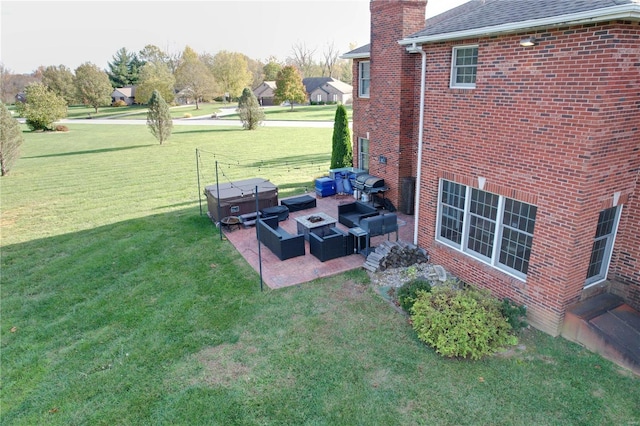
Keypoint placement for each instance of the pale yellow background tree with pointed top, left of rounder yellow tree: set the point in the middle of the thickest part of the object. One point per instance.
(193, 78)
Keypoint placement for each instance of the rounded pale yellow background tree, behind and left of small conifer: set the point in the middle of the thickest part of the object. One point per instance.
(230, 69)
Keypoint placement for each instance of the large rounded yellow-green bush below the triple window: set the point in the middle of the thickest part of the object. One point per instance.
(464, 323)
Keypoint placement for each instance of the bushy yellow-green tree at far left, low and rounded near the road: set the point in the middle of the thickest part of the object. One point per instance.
(42, 107)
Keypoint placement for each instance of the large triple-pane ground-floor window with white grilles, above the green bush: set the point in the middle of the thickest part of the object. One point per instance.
(489, 227)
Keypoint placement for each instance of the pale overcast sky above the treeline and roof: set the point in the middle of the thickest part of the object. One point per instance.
(70, 33)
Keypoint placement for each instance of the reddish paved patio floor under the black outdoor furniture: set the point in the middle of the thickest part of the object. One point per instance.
(278, 273)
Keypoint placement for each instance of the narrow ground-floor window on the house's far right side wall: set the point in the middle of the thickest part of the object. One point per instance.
(602, 245)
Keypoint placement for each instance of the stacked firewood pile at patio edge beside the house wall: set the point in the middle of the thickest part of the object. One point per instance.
(394, 254)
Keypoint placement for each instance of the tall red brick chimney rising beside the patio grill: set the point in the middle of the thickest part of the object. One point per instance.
(394, 97)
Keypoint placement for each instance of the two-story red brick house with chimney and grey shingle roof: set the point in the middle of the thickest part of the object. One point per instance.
(520, 123)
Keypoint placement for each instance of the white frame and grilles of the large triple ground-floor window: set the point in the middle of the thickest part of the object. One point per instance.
(499, 228)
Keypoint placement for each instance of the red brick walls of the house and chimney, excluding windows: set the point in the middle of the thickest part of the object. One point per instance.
(555, 125)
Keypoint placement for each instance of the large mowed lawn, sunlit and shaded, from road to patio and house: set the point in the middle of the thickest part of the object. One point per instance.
(121, 305)
